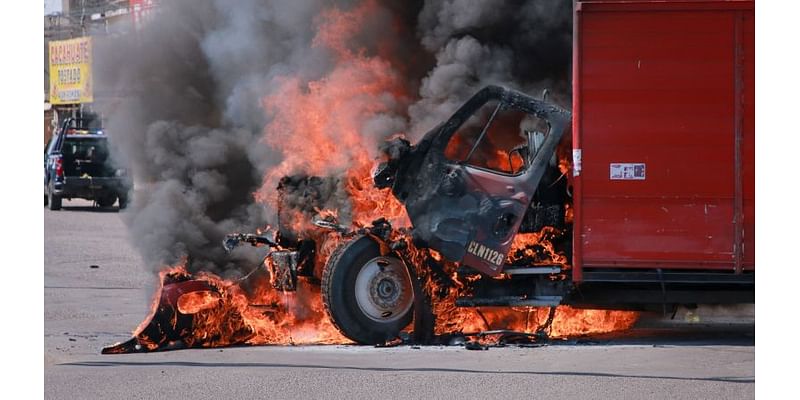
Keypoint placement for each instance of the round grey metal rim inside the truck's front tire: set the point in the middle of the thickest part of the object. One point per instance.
(383, 289)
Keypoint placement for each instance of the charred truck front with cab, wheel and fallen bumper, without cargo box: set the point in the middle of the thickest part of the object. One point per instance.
(368, 280)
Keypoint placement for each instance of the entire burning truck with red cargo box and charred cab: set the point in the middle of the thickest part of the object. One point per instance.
(516, 206)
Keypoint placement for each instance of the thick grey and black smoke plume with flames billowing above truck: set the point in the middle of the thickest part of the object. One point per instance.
(198, 100)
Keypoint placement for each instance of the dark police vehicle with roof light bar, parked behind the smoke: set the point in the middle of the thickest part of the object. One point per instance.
(77, 165)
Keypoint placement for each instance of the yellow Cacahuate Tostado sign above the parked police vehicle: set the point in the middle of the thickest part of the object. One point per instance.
(71, 71)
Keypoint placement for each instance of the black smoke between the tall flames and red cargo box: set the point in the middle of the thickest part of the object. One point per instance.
(523, 45)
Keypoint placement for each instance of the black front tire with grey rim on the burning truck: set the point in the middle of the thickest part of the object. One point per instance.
(368, 296)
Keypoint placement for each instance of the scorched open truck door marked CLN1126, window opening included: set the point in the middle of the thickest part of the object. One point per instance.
(468, 184)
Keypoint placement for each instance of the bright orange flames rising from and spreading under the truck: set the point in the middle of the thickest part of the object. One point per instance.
(317, 127)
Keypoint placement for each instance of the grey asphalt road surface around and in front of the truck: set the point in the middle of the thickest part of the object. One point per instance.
(87, 308)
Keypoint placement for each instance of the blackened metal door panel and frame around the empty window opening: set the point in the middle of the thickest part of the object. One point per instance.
(451, 203)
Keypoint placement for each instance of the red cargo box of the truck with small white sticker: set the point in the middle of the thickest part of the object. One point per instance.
(663, 132)
